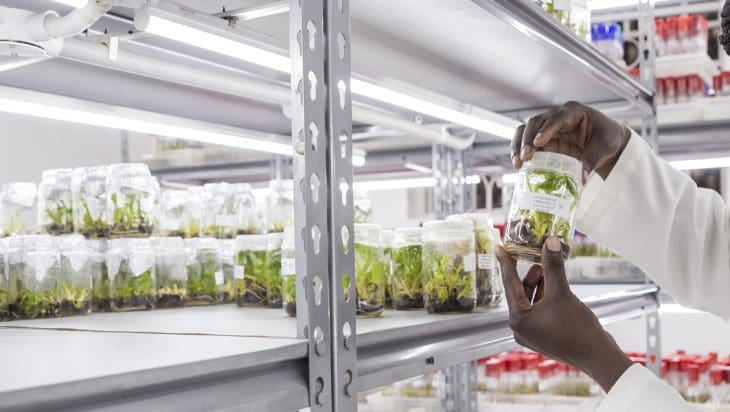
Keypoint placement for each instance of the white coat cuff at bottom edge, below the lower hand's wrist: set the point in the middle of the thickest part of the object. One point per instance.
(639, 390)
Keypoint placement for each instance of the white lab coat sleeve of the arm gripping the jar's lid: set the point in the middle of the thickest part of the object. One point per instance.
(655, 216)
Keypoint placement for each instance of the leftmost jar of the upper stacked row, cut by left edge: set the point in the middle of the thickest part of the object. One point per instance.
(18, 209)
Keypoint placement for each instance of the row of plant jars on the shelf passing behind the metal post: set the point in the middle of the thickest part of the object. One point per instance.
(446, 266)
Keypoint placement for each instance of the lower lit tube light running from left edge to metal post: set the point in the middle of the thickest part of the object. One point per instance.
(68, 109)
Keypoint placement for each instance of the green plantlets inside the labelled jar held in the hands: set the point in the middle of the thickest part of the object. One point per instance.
(528, 233)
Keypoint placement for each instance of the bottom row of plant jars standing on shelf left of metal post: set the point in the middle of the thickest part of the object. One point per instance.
(49, 276)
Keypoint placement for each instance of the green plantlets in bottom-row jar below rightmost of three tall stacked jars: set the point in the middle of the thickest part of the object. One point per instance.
(129, 292)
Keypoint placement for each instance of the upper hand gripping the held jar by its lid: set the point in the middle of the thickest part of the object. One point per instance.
(575, 130)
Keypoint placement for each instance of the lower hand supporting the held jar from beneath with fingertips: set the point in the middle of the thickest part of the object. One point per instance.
(548, 318)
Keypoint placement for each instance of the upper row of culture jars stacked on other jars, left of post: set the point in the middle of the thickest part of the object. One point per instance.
(123, 200)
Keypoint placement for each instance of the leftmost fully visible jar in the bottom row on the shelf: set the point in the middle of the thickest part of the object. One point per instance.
(33, 286)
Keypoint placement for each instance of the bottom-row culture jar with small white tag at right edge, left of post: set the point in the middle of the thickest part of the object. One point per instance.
(205, 274)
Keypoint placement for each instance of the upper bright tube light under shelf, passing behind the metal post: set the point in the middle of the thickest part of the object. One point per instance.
(161, 23)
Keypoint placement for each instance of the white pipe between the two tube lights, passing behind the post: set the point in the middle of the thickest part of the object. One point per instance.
(229, 82)
